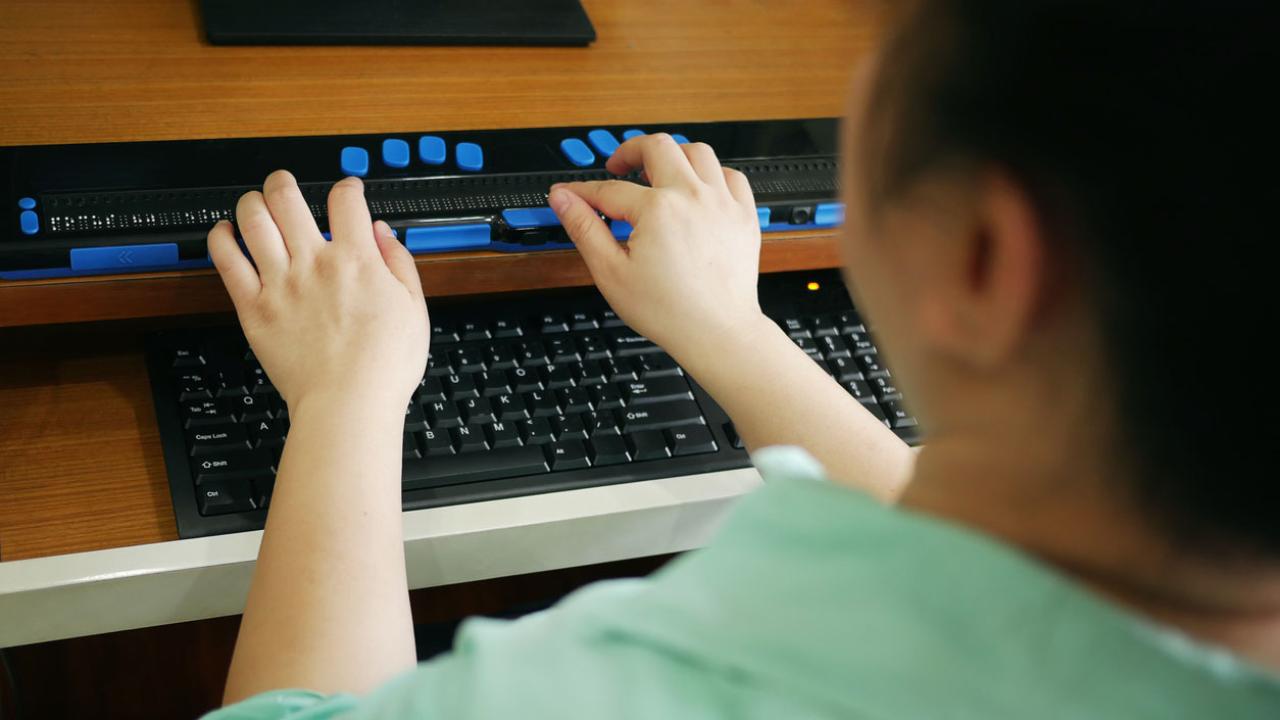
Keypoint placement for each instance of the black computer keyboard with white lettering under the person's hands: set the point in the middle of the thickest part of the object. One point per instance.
(523, 395)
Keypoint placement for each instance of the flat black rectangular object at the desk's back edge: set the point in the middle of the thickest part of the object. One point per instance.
(397, 22)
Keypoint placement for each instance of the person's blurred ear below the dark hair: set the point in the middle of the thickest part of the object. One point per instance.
(988, 295)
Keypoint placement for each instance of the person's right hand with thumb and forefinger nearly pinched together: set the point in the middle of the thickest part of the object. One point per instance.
(688, 276)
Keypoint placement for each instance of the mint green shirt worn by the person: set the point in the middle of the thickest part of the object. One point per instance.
(817, 601)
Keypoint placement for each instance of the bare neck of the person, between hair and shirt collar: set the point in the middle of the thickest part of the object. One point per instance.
(1062, 508)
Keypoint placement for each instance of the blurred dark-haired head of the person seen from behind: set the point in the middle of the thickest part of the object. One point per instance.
(1078, 197)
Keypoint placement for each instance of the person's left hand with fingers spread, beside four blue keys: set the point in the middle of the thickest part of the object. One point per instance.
(344, 318)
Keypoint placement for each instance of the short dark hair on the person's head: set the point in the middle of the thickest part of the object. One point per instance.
(1146, 136)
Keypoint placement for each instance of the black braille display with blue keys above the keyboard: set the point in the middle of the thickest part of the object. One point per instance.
(140, 207)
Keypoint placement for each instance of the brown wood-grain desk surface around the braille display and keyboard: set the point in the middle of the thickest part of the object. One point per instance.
(80, 458)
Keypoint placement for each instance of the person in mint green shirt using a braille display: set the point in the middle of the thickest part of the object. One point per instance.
(1059, 216)
